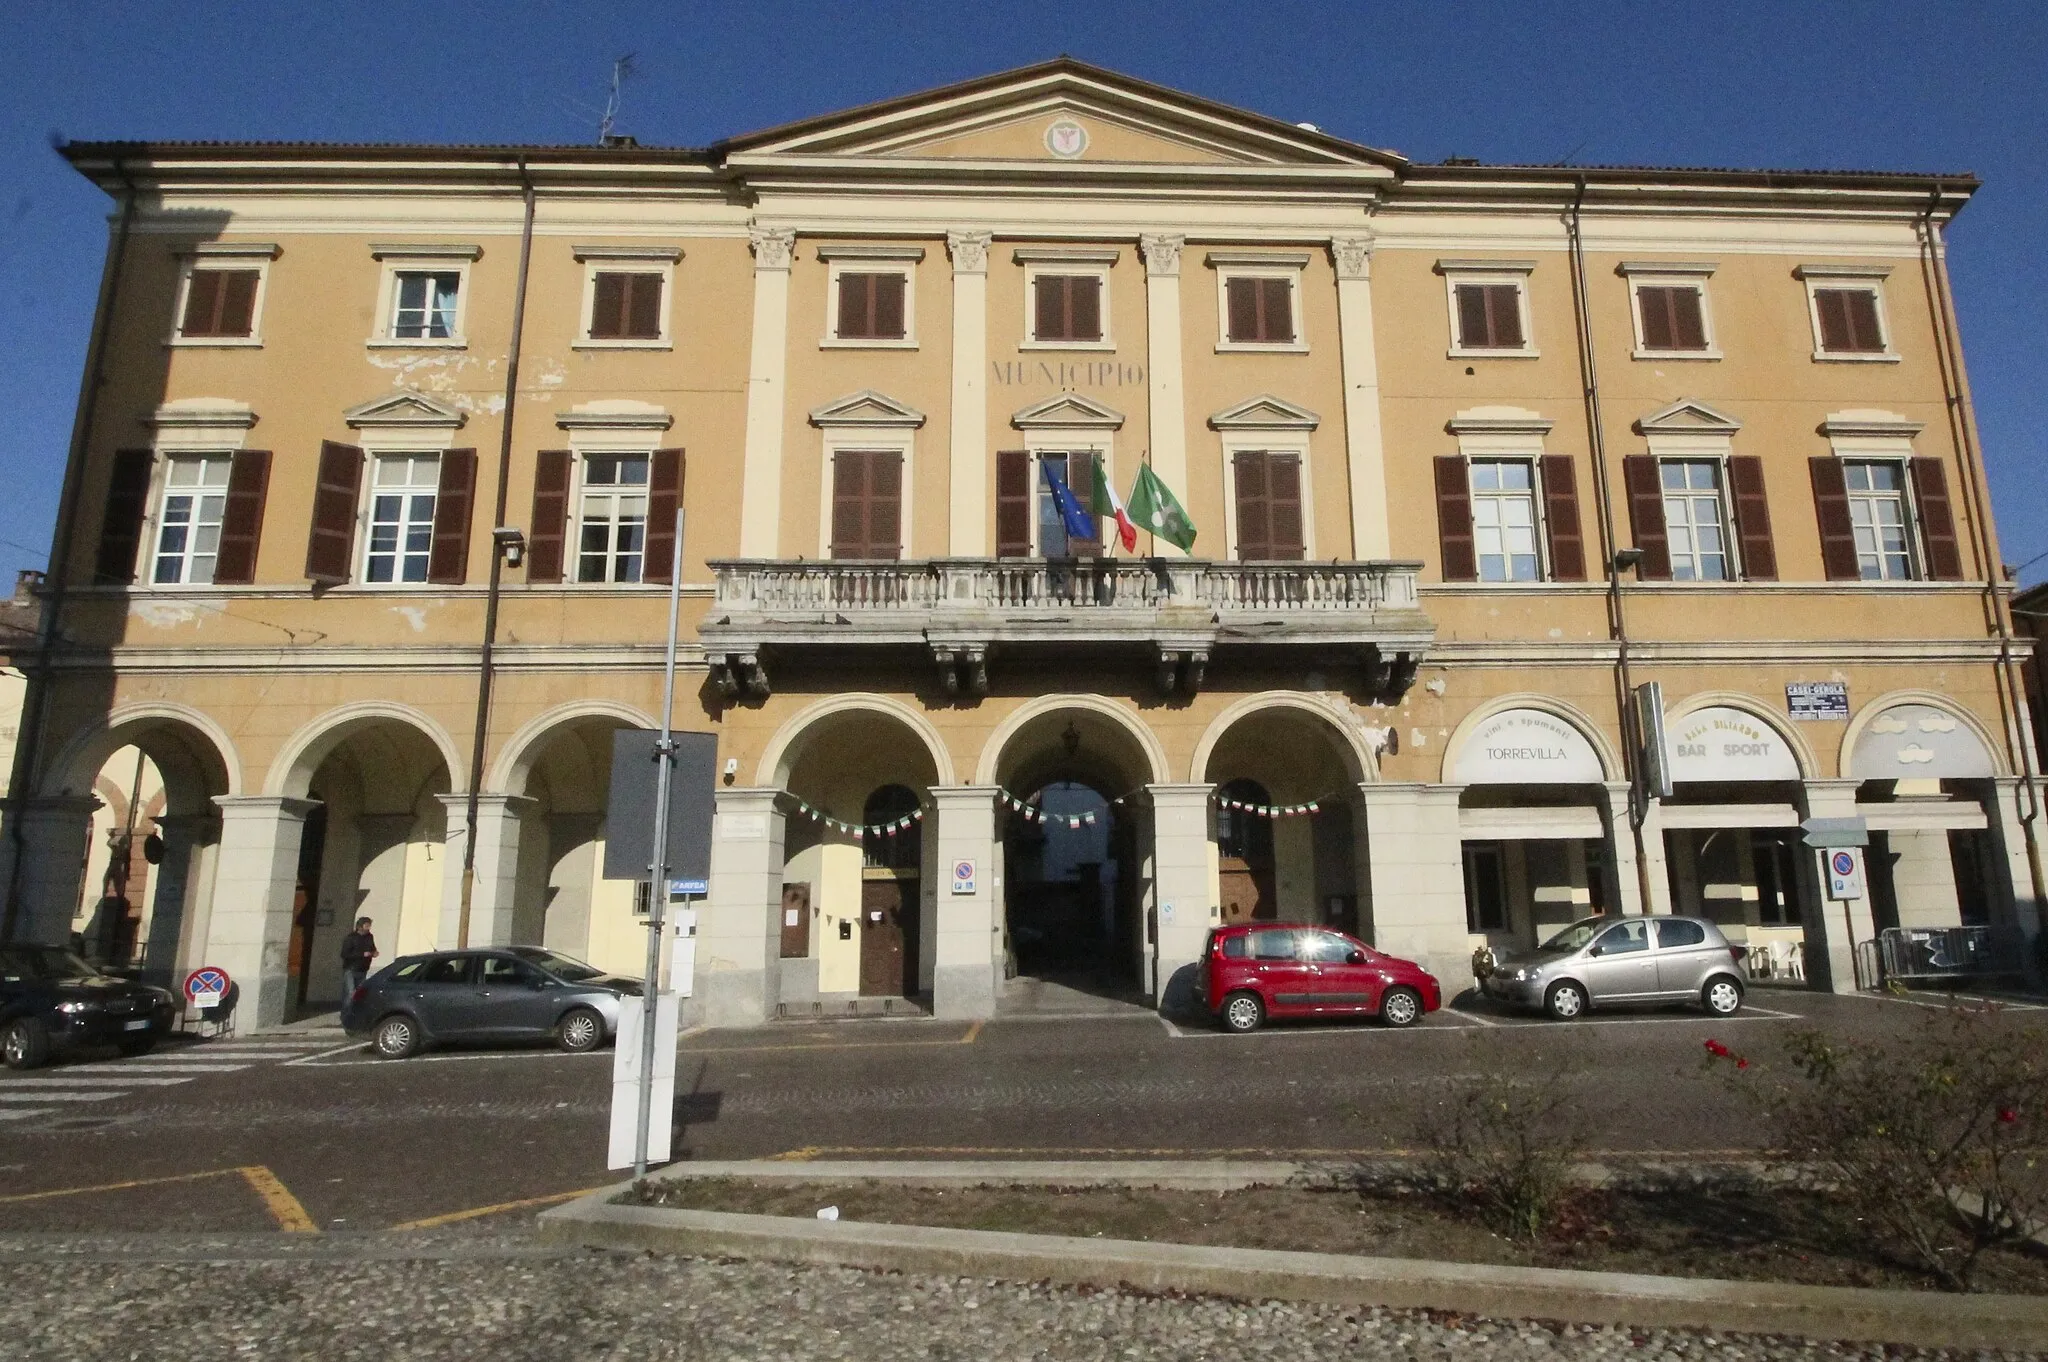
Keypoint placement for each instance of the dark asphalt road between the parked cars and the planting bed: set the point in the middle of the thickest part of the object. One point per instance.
(304, 1132)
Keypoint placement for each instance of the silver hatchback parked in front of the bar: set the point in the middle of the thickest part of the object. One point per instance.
(1603, 962)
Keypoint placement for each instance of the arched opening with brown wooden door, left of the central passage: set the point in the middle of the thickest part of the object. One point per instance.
(859, 876)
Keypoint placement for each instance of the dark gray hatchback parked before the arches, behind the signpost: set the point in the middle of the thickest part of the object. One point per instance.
(501, 994)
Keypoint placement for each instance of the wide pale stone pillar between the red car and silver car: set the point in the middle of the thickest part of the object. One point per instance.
(1418, 880)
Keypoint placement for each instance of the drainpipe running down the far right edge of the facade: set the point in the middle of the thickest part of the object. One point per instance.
(1963, 425)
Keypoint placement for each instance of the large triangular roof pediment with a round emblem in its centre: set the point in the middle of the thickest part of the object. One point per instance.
(1060, 112)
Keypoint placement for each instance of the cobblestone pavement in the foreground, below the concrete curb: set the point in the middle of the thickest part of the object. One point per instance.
(505, 1297)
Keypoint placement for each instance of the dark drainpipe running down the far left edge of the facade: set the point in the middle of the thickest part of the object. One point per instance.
(36, 697)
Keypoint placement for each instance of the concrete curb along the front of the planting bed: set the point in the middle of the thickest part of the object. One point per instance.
(1926, 1320)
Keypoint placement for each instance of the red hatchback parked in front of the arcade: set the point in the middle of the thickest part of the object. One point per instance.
(1258, 970)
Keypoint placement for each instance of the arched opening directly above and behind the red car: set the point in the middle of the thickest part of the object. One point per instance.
(1287, 839)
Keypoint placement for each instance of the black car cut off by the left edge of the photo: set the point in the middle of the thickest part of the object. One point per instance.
(52, 1003)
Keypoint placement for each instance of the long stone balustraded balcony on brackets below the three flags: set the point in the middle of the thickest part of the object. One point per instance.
(966, 609)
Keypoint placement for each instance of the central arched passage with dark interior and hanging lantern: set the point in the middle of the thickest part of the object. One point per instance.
(1074, 849)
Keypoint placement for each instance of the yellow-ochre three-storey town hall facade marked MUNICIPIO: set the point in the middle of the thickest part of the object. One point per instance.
(1471, 456)
